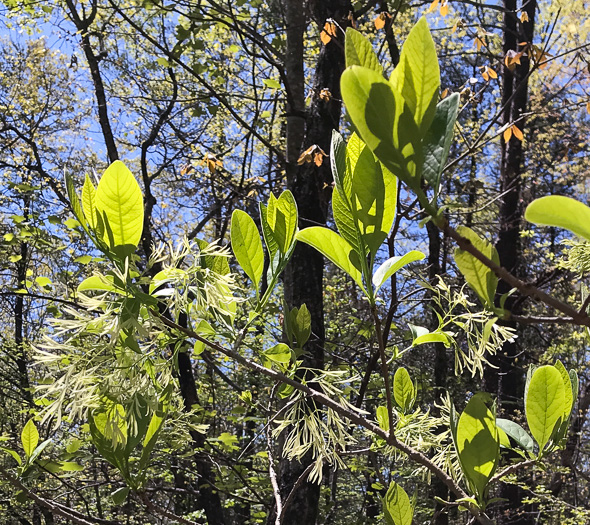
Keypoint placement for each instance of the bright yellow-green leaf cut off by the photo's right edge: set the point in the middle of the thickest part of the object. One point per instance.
(562, 212)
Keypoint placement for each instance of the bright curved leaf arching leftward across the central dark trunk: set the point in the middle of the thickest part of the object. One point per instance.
(335, 248)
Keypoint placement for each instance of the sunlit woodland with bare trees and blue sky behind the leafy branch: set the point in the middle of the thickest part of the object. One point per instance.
(214, 106)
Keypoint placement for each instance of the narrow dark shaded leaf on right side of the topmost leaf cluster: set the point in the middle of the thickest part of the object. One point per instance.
(439, 137)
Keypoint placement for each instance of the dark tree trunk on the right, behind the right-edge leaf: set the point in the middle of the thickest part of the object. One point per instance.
(507, 380)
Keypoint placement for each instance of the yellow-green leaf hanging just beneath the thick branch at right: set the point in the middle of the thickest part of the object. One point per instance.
(482, 280)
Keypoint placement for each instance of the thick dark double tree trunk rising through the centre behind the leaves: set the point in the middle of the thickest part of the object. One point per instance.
(311, 187)
